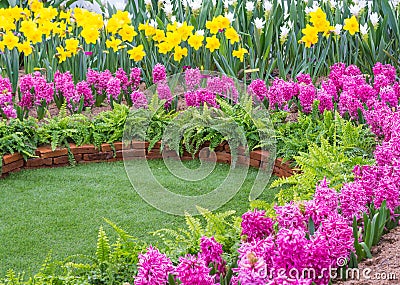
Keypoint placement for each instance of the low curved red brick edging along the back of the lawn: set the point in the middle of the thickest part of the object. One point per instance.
(46, 157)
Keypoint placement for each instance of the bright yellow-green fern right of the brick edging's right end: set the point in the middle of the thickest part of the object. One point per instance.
(327, 160)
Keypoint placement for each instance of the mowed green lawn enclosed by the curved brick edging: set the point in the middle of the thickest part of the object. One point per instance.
(60, 210)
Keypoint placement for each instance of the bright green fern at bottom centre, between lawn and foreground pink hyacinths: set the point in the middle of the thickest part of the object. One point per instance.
(224, 227)
